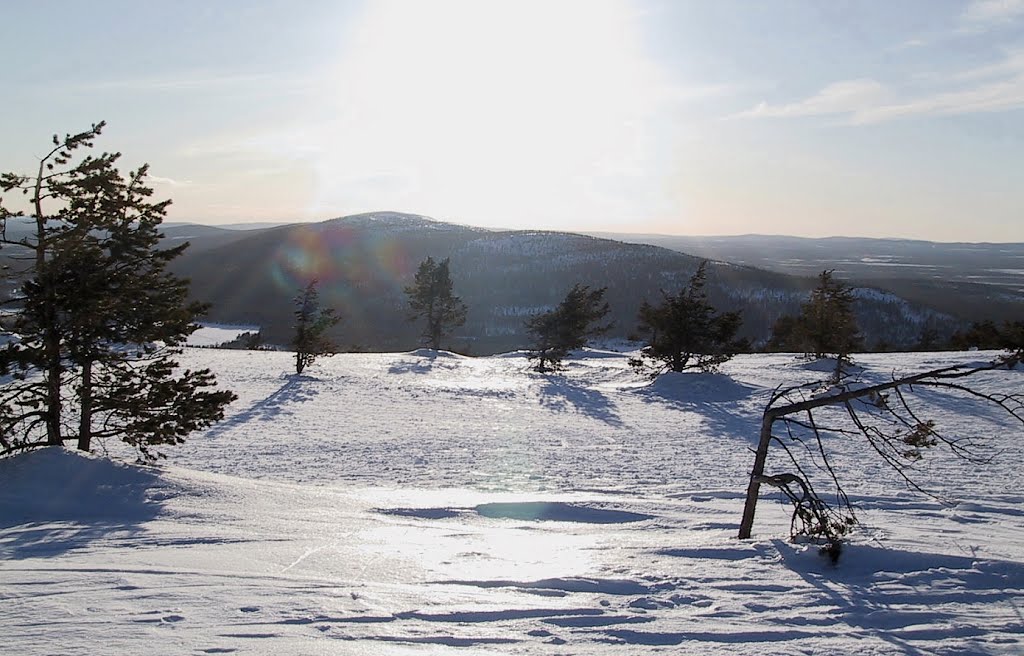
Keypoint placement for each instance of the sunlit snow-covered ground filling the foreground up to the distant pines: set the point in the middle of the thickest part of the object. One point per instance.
(433, 504)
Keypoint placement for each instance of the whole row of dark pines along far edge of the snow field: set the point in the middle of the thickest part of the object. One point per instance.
(682, 331)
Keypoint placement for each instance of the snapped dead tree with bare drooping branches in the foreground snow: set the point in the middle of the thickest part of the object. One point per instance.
(883, 416)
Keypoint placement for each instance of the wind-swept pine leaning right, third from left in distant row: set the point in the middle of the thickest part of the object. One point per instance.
(567, 328)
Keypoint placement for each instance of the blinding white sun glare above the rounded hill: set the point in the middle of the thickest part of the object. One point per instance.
(456, 109)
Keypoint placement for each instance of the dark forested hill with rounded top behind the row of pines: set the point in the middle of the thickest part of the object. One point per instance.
(365, 261)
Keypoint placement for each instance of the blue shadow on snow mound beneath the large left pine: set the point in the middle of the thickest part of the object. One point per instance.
(56, 501)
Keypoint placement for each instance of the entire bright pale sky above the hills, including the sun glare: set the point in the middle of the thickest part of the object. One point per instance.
(686, 117)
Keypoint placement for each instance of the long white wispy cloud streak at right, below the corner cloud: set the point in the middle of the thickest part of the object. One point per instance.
(995, 88)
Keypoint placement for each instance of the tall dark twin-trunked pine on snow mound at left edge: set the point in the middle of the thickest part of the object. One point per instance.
(98, 319)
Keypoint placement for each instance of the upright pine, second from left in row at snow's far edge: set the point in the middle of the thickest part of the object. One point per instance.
(431, 298)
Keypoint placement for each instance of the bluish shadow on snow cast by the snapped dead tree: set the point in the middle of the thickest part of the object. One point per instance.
(900, 596)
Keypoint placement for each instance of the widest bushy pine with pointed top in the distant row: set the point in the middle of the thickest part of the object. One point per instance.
(687, 332)
